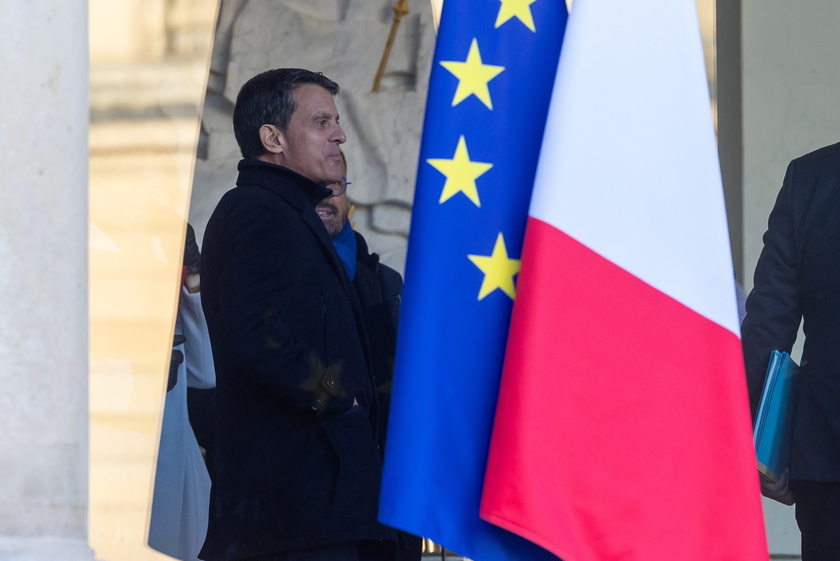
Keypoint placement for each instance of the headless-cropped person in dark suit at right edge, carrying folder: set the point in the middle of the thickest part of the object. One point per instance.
(798, 278)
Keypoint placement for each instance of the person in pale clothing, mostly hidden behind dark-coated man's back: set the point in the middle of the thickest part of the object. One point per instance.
(182, 483)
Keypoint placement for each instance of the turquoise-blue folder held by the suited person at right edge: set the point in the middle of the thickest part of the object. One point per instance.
(774, 420)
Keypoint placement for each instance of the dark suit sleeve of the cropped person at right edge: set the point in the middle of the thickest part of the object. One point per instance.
(773, 306)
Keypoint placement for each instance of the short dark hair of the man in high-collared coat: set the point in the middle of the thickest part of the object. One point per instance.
(266, 99)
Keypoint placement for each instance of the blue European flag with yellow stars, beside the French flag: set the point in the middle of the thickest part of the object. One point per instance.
(490, 86)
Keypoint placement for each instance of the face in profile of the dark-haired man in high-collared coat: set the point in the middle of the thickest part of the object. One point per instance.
(311, 143)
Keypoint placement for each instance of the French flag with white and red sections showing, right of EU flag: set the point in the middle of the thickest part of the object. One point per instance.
(622, 430)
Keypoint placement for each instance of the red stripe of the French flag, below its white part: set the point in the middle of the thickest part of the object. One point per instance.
(622, 425)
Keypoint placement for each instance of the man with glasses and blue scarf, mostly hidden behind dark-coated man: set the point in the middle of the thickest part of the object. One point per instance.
(379, 288)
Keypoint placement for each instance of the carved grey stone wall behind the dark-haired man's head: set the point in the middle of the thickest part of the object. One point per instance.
(344, 39)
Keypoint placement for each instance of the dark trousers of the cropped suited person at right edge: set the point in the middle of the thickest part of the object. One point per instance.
(818, 517)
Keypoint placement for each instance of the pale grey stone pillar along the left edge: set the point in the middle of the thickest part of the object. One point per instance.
(43, 280)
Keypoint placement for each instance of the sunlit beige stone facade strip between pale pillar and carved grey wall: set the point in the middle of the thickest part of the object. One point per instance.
(148, 71)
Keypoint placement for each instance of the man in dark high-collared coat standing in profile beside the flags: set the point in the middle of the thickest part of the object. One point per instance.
(297, 462)
